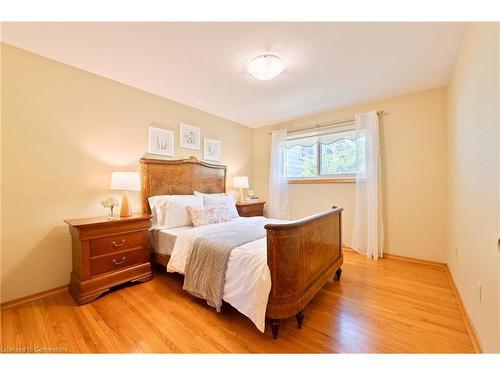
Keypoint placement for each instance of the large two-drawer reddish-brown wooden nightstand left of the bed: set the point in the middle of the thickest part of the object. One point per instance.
(107, 253)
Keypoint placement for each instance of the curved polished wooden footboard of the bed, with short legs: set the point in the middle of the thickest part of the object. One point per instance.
(302, 256)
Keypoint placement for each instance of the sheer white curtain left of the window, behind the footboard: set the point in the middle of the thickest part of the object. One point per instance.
(277, 207)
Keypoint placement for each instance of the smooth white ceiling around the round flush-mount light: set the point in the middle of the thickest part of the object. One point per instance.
(328, 65)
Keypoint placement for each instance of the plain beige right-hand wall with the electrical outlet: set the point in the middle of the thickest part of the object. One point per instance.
(473, 170)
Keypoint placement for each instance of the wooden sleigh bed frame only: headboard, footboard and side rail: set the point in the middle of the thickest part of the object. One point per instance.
(302, 255)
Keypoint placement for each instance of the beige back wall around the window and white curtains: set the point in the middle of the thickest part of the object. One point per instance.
(413, 167)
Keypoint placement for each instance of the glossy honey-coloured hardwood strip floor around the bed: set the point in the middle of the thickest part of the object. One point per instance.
(384, 306)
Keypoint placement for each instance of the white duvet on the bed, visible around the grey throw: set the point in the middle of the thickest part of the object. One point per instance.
(248, 279)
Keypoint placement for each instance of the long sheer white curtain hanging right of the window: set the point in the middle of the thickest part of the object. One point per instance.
(368, 235)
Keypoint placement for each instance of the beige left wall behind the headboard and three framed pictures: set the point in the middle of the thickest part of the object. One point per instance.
(64, 131)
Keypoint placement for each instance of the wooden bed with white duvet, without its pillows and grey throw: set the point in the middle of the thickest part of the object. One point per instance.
(297, 257)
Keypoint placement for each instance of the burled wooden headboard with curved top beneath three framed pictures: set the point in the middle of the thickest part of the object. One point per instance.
(169, 177)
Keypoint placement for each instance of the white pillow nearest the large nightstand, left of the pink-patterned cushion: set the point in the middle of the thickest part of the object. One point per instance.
(171, 209)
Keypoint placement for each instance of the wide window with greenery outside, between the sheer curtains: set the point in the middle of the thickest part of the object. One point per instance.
(330, 153)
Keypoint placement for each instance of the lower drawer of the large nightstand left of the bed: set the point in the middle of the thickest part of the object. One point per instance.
(117, 261)
